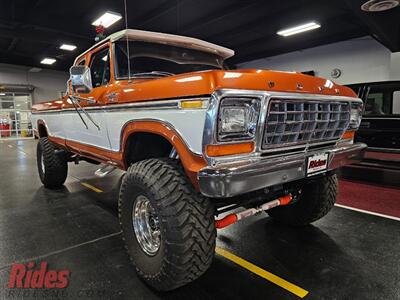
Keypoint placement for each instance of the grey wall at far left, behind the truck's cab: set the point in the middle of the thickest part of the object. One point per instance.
(48, 83)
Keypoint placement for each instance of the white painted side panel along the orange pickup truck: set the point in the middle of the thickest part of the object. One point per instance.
(188, 123)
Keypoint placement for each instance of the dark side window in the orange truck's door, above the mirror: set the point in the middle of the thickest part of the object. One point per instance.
(100, 68)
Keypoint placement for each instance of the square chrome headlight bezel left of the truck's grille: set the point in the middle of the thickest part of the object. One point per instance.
(251, 109)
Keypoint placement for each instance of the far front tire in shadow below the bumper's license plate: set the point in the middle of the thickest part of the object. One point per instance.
(316, 199)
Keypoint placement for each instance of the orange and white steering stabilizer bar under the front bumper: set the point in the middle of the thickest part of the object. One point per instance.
(233, 218)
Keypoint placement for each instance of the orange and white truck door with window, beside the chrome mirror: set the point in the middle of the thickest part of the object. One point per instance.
(91, 132)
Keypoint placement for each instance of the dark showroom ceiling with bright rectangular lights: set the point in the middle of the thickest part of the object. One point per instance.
(33, 29)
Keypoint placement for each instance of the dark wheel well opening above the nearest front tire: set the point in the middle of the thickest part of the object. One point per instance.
(143, 145)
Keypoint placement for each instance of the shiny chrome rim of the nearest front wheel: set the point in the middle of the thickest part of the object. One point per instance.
(146, 225)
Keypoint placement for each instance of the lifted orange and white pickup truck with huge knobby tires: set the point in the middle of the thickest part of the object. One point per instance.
(202, 146)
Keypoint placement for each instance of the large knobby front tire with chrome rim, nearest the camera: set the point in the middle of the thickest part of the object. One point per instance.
(168, 228)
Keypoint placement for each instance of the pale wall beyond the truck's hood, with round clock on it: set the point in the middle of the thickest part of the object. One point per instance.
(360, 60)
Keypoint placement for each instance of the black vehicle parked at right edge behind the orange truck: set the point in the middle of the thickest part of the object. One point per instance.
(380, 130)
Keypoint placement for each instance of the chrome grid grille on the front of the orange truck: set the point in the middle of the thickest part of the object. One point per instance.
(292, 122)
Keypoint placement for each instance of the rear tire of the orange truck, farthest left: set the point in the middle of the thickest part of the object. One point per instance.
(52, 165)
